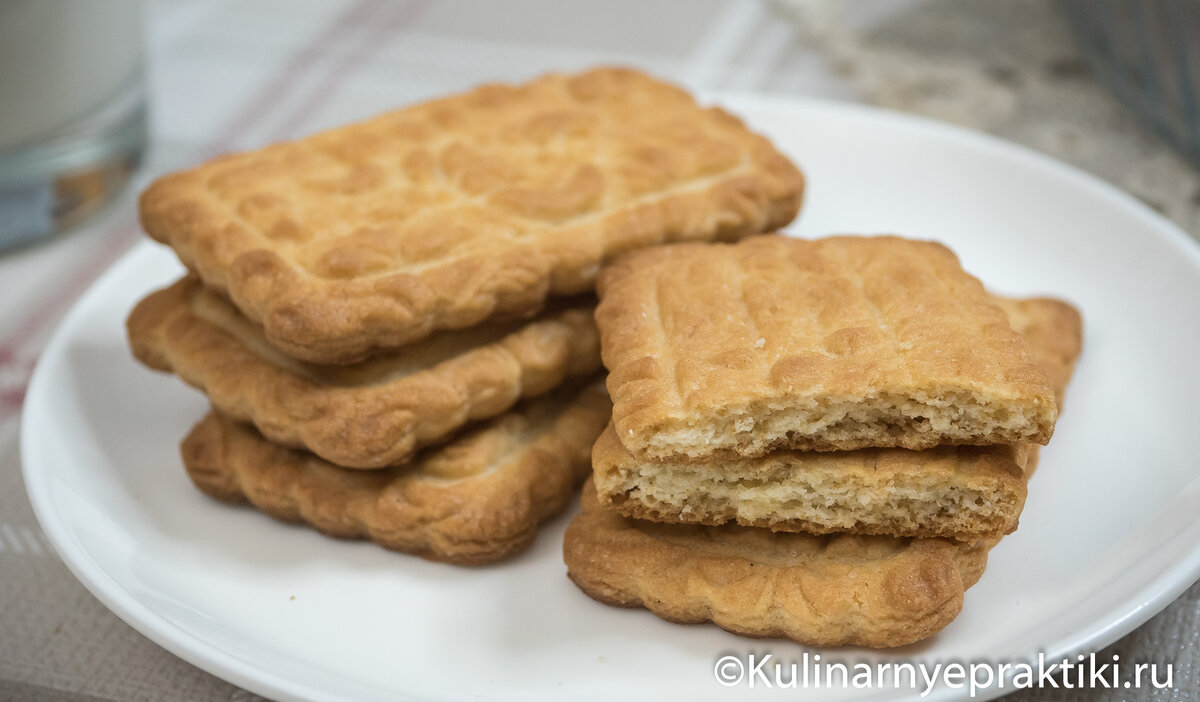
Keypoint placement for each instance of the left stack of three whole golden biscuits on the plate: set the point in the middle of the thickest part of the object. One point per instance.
(393, 320)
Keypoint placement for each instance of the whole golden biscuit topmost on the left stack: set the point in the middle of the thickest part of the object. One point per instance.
(449, 213)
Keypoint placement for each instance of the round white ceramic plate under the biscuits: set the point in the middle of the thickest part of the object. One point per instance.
(1109, 536)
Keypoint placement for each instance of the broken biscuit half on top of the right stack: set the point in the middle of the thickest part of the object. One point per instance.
(838, 344)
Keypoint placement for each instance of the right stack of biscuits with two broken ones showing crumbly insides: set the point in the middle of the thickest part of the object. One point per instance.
(813, 440)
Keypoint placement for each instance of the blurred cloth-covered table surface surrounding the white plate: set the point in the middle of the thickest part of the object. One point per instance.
(227, 75)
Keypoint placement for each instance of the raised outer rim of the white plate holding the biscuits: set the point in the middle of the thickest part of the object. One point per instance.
(1131, 614)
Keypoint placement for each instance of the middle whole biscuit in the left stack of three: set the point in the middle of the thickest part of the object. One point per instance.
(371, 415)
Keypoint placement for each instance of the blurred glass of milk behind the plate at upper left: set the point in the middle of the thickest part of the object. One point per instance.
(73, 111)
